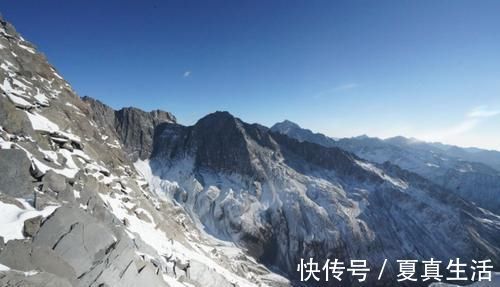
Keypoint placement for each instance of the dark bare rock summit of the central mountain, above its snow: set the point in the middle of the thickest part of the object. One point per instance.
(217, 142)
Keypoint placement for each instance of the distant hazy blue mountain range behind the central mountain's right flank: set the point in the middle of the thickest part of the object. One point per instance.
(448, 166)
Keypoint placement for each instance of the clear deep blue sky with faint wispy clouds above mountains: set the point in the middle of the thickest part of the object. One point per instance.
(427, 69)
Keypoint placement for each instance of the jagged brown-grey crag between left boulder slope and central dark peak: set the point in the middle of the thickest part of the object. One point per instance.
(133, 127)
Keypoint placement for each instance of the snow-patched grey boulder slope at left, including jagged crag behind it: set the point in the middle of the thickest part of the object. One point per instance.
(73, 209)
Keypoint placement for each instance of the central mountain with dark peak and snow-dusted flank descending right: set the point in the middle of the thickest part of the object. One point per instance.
(284, 200)
